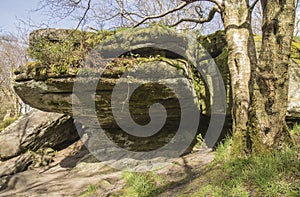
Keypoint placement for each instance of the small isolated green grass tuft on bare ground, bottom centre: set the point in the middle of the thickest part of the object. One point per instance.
(142, 184)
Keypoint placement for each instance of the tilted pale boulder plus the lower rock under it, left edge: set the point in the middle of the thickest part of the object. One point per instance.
(32, 133)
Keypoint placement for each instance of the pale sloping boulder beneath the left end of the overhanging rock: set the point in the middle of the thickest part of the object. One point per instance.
(36, 130)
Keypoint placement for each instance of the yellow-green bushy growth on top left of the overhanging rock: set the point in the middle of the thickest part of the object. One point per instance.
(64, 56)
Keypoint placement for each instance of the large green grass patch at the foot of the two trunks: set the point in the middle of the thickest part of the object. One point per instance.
(275, 174)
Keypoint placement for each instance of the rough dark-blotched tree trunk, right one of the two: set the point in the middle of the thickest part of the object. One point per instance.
(267, 125)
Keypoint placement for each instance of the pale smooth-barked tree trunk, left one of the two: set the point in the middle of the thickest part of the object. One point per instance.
(241, 61)
